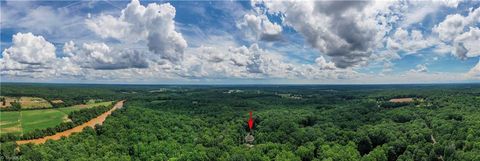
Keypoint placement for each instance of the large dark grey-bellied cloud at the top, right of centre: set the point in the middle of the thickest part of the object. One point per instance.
(345, 31)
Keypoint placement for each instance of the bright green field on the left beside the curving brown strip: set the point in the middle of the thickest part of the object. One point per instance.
(18, 122)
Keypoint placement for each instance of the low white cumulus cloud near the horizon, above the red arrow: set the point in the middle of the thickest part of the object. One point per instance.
(239, 62)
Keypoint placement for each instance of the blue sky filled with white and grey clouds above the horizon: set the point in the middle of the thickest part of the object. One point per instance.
(240, 42)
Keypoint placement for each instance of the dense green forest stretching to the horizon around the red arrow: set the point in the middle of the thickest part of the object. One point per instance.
(310, 122)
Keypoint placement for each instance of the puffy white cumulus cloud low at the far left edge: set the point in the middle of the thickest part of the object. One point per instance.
(32, 56)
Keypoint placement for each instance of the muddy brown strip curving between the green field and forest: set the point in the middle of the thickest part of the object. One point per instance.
(98, 120)
